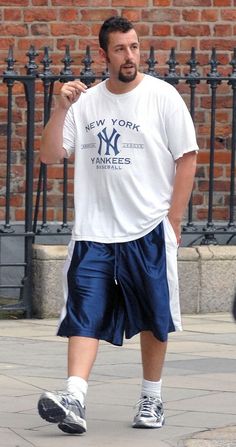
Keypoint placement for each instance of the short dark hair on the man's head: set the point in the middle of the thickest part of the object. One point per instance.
(114, 23)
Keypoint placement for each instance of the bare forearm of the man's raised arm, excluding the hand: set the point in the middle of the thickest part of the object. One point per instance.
(51, 149)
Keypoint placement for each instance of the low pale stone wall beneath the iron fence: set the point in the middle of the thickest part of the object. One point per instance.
(206, 275)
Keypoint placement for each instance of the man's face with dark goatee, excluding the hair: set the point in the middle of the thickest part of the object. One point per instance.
(123, 55)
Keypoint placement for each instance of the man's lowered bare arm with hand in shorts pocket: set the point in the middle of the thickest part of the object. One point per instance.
(183, 184)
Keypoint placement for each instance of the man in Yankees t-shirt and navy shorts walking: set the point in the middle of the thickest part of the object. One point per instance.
(135, 158)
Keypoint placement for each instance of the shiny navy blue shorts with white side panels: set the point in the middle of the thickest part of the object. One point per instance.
(118, 289)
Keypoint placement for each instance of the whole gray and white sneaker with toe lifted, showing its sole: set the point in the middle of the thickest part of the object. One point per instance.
(63, 409)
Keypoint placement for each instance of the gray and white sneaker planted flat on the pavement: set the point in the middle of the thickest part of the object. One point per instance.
(150, 413)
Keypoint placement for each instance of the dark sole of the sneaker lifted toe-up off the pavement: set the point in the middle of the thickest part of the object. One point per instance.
(50, 410)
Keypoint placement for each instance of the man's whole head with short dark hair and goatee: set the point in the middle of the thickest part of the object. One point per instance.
(119, 46)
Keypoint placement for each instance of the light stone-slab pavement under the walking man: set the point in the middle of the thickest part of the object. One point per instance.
(199, 387)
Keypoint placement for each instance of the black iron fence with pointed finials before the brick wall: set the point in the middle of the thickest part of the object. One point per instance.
(209, 231)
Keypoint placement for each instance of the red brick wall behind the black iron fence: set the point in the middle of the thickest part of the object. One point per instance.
(164, 24)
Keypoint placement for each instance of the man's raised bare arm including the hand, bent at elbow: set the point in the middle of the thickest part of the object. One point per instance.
(51, 149)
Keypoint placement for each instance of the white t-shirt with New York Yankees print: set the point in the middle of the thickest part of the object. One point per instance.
(125, 150)
